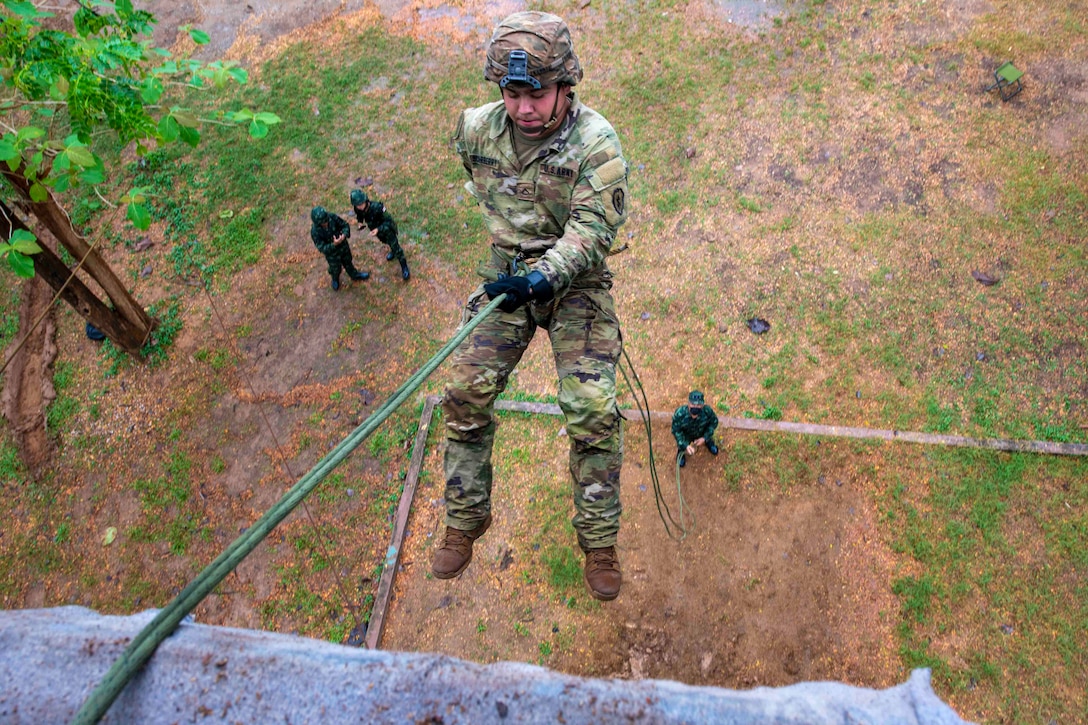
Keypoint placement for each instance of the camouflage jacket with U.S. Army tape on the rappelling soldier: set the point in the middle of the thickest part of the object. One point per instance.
(563, 211)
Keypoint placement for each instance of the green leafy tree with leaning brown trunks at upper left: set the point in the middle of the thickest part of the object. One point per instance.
(59, 92)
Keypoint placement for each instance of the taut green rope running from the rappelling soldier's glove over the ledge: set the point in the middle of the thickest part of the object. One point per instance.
(144, 645)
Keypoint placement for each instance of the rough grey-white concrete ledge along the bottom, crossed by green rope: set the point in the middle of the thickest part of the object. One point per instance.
(51, 661)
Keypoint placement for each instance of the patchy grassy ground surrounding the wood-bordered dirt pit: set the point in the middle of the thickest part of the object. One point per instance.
(840, 174)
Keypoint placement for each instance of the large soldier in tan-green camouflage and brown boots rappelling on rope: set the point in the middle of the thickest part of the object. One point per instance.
(551, 181)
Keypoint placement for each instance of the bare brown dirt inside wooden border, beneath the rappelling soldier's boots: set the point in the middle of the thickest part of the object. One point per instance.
(774, 586)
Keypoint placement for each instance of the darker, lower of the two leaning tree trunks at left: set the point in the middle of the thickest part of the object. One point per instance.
(54, 272)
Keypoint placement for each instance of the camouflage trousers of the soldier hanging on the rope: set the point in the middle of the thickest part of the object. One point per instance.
(586, 343)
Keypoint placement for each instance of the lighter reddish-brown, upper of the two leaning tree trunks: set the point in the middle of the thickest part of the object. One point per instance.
(138, 324)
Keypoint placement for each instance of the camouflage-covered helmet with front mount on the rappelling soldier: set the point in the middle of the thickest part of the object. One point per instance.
(534, 48)
